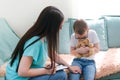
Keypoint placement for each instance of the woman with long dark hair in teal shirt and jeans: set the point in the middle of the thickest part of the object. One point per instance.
(39, 42)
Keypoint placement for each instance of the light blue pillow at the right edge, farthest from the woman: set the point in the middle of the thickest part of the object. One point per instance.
(113, 28)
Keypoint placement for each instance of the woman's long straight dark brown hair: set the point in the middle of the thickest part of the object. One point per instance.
(47, 25)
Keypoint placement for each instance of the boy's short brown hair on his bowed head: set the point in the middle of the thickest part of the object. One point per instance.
(80, 26)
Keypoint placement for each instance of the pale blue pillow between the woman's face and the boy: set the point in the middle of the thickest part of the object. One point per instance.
(64, 45)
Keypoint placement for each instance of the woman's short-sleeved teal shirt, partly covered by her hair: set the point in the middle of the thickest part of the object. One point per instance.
(38, 51)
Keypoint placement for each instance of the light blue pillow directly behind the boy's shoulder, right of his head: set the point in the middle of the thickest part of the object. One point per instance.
(100, 28)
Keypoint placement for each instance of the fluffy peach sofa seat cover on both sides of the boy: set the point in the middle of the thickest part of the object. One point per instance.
(107, 62)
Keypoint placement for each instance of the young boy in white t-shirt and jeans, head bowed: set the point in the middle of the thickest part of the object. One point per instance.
(86, 64)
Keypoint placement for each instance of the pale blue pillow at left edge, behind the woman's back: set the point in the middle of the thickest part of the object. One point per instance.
(8, 40)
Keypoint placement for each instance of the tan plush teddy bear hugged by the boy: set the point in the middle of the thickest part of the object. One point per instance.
(85, 43)
